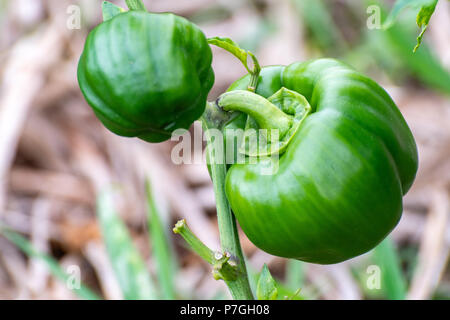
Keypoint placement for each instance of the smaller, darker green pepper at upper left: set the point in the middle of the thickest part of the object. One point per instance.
(146, 74)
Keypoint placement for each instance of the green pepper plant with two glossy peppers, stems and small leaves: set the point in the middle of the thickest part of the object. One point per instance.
(326, 154)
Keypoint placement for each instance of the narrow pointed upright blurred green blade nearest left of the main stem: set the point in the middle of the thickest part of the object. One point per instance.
(162, 250)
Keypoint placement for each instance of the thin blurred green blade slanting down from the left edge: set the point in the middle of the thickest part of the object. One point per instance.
(23, 244)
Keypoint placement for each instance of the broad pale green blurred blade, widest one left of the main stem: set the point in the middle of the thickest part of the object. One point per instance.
(130, 269)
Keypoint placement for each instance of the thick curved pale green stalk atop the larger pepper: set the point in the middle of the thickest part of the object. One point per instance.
(265, 113)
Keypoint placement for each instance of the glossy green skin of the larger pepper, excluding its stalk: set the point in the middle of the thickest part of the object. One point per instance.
(338, 191)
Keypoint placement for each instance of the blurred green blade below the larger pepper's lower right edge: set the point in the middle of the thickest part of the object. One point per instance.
(392, 280)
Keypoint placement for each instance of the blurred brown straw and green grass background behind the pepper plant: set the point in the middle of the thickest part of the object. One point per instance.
(56, 158)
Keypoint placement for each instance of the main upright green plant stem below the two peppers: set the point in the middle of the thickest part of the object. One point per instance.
(229, 237)
